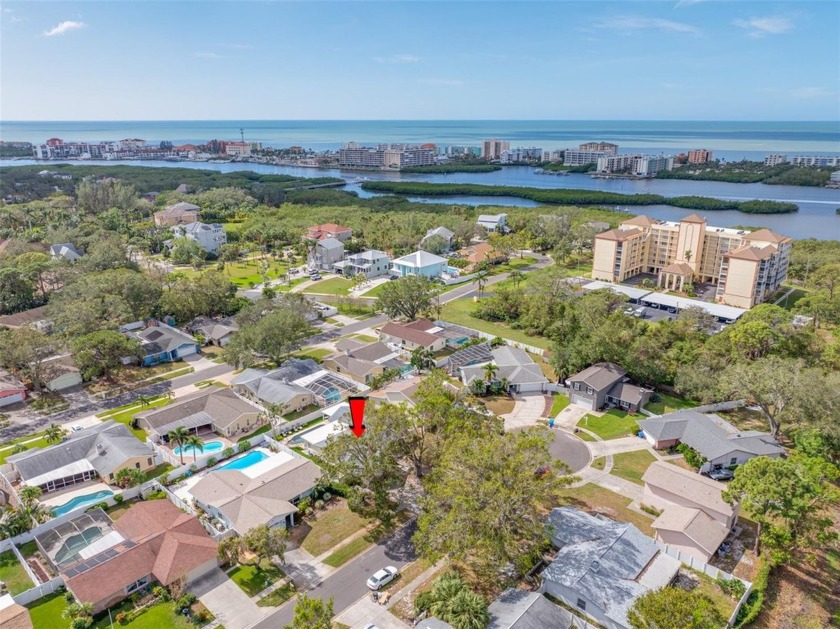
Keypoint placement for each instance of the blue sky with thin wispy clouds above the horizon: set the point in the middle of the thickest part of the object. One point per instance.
(679, 60)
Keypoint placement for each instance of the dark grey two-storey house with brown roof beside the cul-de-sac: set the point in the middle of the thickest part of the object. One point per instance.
(606, 384)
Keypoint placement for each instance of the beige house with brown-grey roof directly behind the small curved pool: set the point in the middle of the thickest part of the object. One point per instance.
(221, 411)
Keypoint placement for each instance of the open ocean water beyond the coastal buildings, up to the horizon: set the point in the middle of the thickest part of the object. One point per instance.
(728, 139)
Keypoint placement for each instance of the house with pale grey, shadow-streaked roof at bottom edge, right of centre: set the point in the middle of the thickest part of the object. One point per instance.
(602, 566)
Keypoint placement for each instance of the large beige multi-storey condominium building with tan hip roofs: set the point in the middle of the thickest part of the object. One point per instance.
(747, 267)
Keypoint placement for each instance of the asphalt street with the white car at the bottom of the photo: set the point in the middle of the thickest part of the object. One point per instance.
(347, 585)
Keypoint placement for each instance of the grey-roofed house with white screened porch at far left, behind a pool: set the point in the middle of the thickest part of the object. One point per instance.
(99, 451)
